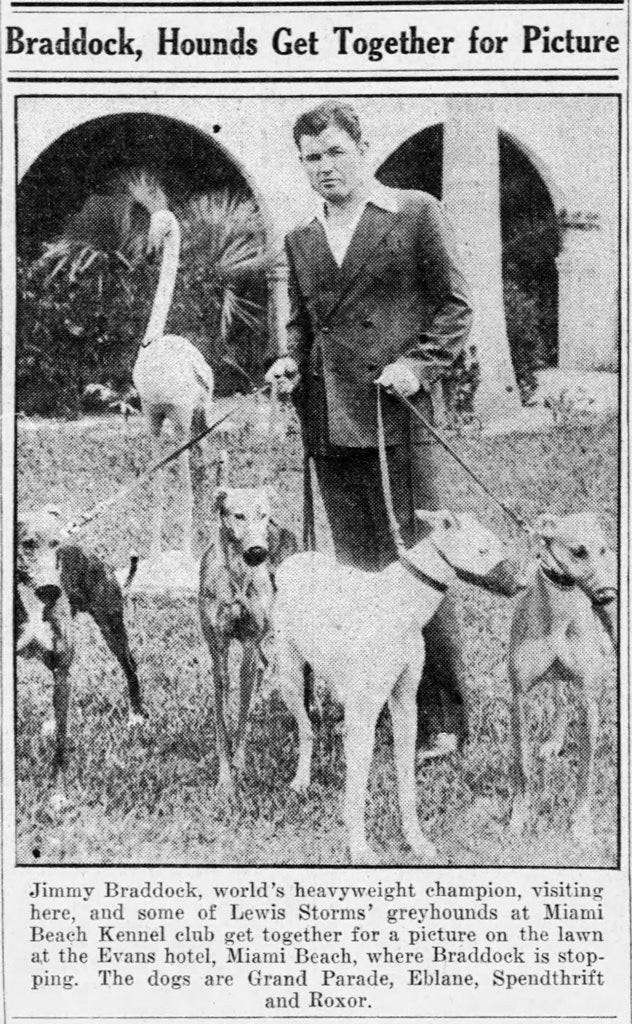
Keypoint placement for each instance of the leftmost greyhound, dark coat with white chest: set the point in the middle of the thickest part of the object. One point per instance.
(55, 580)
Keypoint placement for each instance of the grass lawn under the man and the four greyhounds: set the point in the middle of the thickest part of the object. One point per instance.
(150, 798)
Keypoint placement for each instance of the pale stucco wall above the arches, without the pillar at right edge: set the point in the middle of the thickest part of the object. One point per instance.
(572, 141)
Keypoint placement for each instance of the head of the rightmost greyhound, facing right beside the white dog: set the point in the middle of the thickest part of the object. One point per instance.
(575, 547)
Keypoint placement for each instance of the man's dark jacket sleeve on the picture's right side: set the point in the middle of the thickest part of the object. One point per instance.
(441, 277)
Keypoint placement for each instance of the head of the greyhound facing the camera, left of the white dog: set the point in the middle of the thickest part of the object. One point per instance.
(245, 517)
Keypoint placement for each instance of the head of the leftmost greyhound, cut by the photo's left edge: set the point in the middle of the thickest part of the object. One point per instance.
(39, 538)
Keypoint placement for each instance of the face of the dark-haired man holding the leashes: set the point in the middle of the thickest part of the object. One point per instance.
(336, 166)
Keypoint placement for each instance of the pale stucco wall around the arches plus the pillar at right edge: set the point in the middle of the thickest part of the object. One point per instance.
(573, 142)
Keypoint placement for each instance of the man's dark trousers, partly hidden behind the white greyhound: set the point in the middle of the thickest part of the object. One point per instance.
(352, 492)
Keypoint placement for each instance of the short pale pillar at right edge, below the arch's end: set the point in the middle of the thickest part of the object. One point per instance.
(587, 267)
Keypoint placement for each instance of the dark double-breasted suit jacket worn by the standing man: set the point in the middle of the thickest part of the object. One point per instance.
(399, 295)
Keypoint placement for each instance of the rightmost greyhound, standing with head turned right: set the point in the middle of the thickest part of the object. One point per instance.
(559, 627)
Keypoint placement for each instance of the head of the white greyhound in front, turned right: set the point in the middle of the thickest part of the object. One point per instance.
(475, 552)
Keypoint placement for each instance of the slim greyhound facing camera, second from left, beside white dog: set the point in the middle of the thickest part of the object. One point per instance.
(237, 590)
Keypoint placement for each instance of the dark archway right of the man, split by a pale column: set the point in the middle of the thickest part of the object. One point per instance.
(531, 241)
